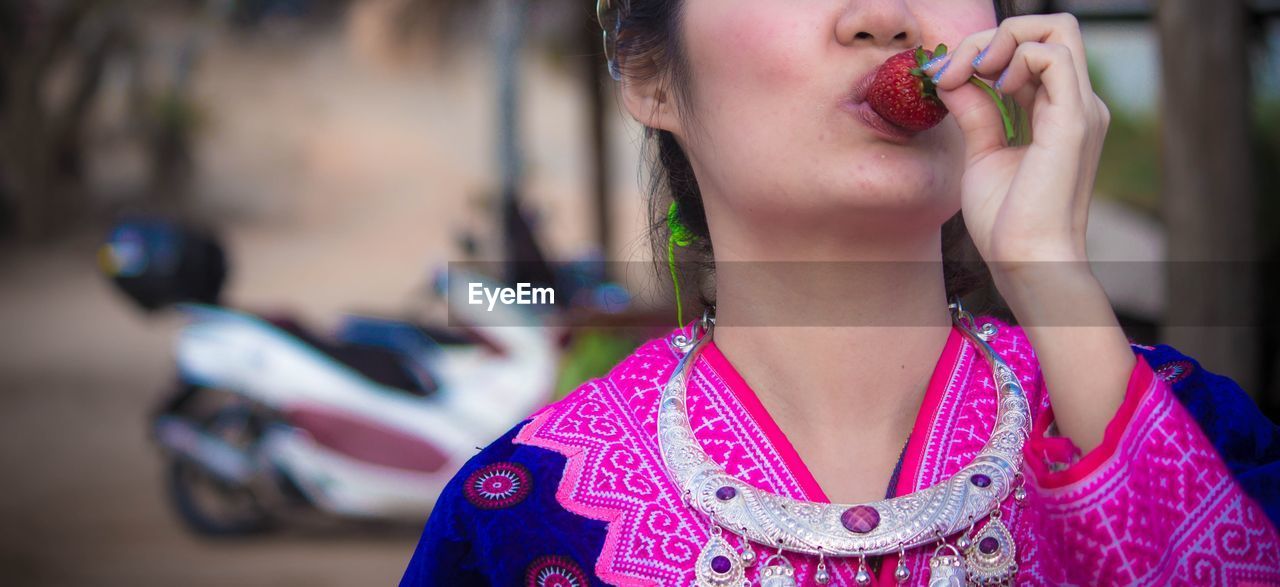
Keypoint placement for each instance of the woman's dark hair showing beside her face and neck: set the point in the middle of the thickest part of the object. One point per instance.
(650, 49)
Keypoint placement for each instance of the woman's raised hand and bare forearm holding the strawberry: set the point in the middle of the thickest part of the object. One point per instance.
(1027, 208)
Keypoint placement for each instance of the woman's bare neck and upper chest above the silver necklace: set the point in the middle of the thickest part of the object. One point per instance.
(858, 333)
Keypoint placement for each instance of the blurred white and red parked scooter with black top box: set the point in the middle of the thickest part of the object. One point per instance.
(371, 423)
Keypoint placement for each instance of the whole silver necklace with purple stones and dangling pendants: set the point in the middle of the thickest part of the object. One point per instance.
(920, 520)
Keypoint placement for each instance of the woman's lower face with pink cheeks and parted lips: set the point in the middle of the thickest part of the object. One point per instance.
(774, 86)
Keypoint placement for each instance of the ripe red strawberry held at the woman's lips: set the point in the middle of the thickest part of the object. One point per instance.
(904, 95)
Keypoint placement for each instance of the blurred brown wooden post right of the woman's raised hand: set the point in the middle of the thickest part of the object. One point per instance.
(1209, 191)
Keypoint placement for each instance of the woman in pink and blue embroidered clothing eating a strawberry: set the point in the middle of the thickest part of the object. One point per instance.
(1036, 455)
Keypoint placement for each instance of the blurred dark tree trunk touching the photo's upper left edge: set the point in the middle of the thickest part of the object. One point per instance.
(42, 141)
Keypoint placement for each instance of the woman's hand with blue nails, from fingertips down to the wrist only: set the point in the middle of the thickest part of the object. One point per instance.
(1027, 204)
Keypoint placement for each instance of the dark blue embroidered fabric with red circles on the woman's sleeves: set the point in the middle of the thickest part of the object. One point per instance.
(497, 522)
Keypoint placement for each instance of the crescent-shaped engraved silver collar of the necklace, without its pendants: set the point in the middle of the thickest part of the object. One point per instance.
(906, 522)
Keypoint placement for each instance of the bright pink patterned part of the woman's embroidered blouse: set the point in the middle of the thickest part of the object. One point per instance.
(1154, 505)
